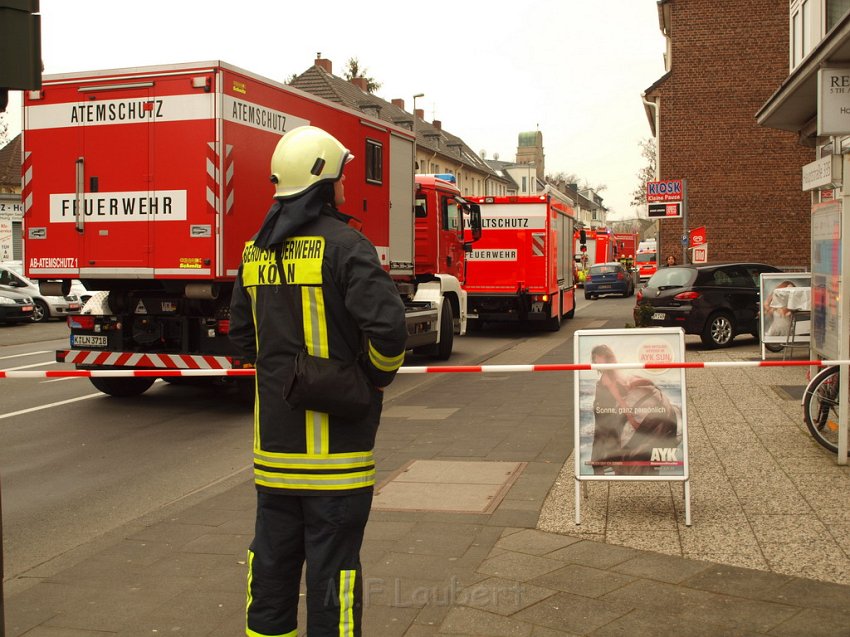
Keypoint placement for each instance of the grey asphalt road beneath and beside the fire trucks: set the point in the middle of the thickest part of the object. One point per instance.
(76, 464)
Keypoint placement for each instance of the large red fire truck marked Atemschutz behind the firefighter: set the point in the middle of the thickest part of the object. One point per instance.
(147, 182)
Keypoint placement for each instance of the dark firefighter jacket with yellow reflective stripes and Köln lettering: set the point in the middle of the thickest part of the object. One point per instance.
(347, 305)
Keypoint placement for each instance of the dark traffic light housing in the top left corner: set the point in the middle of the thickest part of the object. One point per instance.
(20, 47)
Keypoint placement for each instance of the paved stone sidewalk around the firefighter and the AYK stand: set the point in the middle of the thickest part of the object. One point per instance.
(521, 568)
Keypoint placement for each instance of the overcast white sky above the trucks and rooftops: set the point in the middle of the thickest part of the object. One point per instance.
(573, 69)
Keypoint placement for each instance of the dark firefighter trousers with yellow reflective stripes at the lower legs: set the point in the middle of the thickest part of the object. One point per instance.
(326, 532)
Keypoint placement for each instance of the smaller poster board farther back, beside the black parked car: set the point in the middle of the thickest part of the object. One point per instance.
(786, 302)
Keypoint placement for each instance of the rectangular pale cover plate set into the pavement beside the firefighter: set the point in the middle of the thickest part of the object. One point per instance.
(447, 485)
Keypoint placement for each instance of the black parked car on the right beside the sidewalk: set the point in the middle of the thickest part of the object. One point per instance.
(717, 301)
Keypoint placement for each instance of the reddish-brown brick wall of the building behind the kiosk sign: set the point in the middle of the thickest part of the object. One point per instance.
(724, 60)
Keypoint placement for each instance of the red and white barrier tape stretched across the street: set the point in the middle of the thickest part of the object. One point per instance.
(565, 367)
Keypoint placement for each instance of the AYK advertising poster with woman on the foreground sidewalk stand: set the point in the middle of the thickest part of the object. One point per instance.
(630, 416)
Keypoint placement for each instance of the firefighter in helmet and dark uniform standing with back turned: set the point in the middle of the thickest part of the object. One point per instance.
(314, 473)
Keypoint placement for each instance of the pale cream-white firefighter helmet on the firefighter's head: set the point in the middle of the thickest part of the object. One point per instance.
(304, 157)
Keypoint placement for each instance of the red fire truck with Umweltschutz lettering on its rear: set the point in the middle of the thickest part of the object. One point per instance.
(522, 268)
